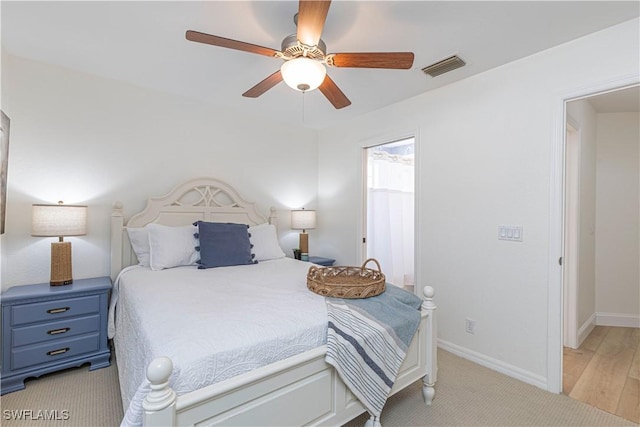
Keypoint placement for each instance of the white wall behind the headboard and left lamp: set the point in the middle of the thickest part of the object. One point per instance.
(84, 139)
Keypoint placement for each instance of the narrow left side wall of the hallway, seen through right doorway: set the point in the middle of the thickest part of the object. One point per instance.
(585, 117)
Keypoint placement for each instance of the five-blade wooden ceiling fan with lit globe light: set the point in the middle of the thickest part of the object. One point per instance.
(305, 56)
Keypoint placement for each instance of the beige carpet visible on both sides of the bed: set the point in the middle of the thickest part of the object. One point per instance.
(466, 395)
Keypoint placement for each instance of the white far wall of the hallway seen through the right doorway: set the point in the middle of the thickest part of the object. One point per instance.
(618, 216)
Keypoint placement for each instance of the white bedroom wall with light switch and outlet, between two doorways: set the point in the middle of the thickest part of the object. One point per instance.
(485, 159)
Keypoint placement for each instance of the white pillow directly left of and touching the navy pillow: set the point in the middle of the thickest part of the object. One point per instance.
(172, 246)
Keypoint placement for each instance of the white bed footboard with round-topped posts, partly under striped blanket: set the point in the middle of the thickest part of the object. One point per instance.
(300, 390)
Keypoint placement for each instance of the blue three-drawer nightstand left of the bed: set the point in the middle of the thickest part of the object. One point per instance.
(48, 328)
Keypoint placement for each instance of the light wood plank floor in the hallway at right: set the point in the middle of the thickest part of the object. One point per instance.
(605, 371)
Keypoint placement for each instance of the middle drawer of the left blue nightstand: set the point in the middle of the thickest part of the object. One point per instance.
(55, 330)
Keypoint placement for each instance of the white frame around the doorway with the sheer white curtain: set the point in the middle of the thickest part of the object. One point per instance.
(382, 139)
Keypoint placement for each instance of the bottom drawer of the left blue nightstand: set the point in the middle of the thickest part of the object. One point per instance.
(54, 350)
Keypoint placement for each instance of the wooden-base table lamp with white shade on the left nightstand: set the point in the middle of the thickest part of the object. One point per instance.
(59, 221)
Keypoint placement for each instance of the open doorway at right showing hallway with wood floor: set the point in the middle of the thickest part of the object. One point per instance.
(602, 252)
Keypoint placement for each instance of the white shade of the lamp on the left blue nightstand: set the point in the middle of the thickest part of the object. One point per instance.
(58, 220)
